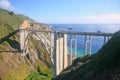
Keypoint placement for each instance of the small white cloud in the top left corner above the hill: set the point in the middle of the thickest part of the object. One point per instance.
(6, 4)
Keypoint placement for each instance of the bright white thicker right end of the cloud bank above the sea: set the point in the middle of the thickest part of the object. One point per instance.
(104, 18)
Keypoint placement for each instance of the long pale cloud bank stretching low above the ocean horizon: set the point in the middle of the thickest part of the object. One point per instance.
(103, 18)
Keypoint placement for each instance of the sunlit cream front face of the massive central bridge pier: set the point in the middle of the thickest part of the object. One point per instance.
(62, 44)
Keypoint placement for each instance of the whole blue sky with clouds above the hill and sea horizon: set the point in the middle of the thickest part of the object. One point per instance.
(66, 11)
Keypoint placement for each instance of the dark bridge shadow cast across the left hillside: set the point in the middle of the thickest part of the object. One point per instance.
(13, 43)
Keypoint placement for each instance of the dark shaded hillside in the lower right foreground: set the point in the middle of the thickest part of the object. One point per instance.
(105, 65)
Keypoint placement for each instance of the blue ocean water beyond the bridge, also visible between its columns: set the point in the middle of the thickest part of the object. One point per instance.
(97, 42)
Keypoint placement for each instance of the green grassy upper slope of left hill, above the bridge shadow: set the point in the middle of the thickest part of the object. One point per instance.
(10, 19)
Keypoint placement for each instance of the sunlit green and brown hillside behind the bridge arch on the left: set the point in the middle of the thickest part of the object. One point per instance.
(13, 66)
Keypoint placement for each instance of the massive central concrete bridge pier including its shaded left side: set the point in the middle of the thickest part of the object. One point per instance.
(60, 53)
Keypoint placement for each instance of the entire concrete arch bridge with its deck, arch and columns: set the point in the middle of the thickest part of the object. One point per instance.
(58, 45)
